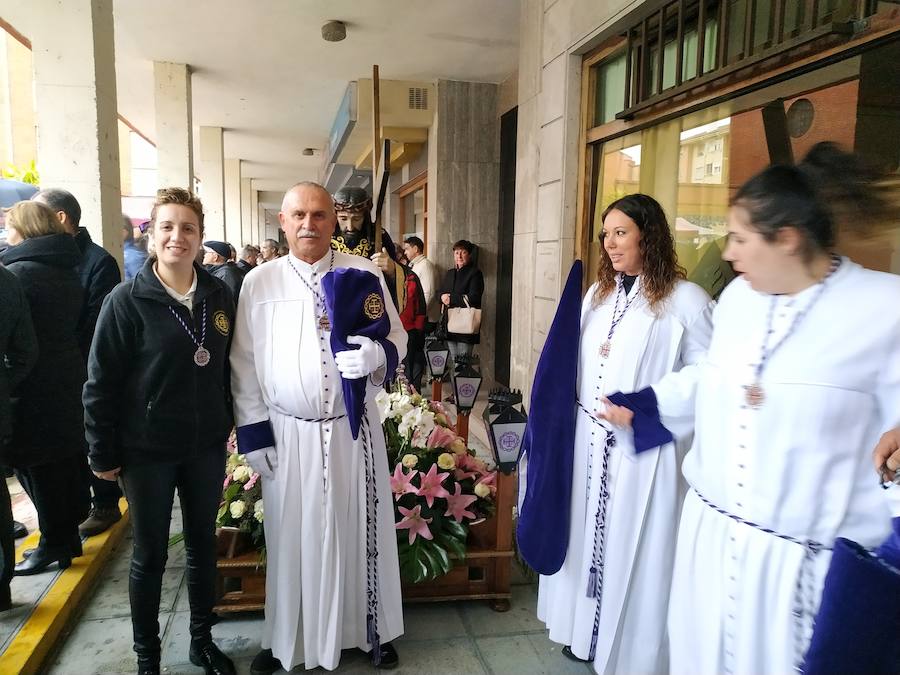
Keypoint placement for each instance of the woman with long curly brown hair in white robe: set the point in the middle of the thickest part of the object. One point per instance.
(620, 623)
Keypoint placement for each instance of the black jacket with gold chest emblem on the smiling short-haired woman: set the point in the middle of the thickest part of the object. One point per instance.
(145, 399)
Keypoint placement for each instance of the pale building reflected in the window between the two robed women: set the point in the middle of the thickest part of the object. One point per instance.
(702, 210)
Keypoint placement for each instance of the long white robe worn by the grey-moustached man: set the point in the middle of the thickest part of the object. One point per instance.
(315, 506)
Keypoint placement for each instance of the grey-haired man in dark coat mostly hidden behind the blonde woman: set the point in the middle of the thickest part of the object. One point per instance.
(98, 273)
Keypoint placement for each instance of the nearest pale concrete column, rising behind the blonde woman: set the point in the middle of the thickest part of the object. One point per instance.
(75, 110)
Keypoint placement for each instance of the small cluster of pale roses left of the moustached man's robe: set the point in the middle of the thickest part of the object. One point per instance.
(242, 505)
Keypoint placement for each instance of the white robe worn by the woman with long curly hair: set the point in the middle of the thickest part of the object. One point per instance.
(645, 490)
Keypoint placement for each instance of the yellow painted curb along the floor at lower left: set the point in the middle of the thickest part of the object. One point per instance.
(28, 650)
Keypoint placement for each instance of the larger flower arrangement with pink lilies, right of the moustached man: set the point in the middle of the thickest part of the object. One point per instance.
(440, 488)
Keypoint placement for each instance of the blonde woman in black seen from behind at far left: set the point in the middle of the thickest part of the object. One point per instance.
(47, 447)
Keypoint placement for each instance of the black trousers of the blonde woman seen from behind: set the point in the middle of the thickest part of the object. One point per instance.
(58, 493)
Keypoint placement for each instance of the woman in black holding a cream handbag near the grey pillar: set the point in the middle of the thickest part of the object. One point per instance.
(461, 301)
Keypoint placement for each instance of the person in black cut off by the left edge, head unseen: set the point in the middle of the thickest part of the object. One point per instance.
(18, 348)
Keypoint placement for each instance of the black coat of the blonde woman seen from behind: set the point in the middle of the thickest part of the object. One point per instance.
(48, 422)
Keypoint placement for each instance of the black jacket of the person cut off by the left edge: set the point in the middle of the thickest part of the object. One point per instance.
(18, 345)
